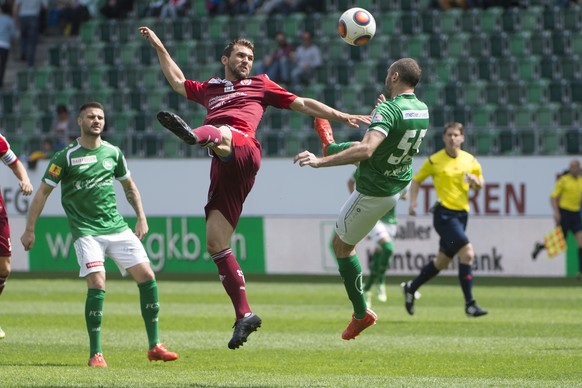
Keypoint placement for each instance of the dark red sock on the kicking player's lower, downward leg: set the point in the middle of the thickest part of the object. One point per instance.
(233, 281)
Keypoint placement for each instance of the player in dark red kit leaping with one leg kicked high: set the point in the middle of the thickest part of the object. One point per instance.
(235, 106)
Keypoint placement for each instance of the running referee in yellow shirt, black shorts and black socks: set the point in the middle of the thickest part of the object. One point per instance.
(453, 172)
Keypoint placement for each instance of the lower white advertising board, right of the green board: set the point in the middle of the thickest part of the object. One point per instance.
(502, 247)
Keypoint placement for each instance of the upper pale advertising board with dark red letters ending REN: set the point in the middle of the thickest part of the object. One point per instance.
(515, 186)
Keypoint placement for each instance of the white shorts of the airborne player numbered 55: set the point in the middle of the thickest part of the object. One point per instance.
(360, 214)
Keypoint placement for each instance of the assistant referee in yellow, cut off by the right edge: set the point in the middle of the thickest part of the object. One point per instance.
(566, 199)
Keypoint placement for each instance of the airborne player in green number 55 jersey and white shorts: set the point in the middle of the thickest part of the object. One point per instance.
(383, 176)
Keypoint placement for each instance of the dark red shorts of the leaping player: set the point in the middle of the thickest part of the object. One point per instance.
(232, 180)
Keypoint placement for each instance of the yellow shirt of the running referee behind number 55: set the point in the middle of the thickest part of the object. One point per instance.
(448, 175)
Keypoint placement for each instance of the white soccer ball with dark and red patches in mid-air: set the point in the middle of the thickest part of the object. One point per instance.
(356, 26)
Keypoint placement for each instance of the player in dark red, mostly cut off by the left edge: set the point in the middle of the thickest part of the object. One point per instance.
(11, 160)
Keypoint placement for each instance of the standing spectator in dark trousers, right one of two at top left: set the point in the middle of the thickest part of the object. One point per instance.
(26, 14)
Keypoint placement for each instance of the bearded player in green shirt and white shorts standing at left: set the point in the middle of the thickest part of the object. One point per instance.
(86, 170)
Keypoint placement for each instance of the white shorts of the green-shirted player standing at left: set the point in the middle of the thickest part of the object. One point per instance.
(123, 248)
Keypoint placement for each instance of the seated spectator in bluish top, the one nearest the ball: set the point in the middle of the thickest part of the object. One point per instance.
(306, 59)
